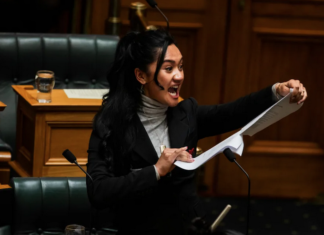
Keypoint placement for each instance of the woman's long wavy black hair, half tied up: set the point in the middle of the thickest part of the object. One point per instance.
(114, 123)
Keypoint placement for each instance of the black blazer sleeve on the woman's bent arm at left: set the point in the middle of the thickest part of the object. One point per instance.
(107, 189)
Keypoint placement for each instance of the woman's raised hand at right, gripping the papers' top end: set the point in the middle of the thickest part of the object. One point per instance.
(299, 93)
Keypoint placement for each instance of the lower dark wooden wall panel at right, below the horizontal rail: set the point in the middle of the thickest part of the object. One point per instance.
(273, 176)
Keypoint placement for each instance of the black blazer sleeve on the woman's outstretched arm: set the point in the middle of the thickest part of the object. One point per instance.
(218, 119)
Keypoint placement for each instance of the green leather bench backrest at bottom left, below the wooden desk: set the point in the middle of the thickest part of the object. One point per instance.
(47, 205)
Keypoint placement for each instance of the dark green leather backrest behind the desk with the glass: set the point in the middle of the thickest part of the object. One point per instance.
(78, 61)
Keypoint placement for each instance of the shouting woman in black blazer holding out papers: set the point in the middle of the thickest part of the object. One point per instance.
(133, 174)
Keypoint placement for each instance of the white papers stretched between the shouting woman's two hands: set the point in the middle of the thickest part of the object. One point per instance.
(235, 142)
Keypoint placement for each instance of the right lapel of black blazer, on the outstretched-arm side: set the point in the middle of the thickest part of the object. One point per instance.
(178, 127)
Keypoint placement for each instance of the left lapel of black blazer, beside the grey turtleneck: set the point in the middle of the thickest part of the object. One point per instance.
(143, 144)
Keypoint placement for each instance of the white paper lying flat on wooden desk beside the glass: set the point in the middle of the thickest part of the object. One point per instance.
(86, 93)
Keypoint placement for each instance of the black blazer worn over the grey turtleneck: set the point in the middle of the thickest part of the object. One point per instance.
(142, 204)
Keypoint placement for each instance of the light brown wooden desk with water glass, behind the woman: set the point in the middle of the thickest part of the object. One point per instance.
(44, 131)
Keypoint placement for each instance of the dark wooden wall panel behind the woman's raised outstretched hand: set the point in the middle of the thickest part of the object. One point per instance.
(292, 57)
